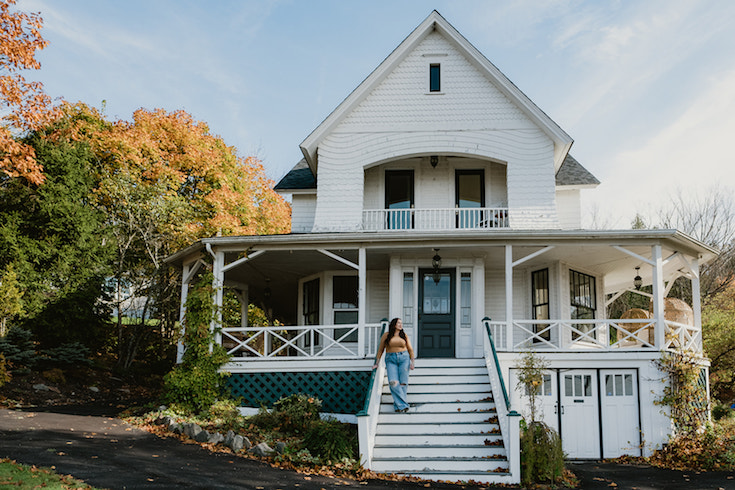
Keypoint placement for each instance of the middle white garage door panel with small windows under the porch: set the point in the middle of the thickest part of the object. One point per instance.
(580, 419)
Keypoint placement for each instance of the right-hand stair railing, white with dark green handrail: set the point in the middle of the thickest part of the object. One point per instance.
(508, 419)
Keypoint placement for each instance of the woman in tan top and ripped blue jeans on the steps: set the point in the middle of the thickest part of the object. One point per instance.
(398, 360)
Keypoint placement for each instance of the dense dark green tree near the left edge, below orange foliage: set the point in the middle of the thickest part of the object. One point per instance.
(57, 244)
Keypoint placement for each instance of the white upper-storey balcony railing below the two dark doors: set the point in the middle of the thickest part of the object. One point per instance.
(435, 219)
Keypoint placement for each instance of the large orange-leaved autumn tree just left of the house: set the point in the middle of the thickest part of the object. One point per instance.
(164, 182)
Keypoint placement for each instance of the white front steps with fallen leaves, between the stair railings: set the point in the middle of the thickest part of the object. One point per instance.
(451, 431)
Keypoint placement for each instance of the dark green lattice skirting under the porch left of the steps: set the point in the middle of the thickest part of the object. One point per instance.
(340, 391)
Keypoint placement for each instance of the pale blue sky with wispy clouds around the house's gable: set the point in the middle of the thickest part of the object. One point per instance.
(645, 88)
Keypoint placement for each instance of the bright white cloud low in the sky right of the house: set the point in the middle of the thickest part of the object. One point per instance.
(693, 152)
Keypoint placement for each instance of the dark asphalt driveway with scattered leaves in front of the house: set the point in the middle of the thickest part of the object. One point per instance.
(108, 453)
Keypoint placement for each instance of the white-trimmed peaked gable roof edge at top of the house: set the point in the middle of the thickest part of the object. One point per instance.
(435, 22)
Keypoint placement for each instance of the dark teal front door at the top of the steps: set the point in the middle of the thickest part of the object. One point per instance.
(436, 313)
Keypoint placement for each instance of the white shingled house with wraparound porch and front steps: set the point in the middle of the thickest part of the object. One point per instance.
(439, 193)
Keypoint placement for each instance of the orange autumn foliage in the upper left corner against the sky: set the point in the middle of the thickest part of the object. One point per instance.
(25, 103)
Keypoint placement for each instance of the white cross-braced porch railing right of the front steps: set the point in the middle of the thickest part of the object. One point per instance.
(590, 335)
